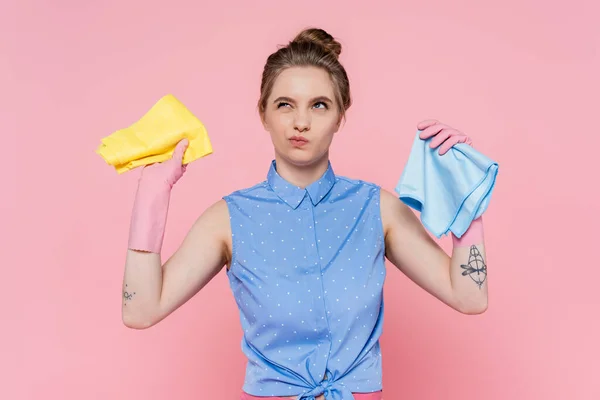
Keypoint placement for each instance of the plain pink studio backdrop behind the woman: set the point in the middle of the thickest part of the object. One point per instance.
(520, 77)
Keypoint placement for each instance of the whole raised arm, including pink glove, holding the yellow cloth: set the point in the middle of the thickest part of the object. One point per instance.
(152, 291)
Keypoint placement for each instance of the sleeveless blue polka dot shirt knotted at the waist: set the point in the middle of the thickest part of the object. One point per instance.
(307, 274)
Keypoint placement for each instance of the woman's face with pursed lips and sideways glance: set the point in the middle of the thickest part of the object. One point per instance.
(301, 115)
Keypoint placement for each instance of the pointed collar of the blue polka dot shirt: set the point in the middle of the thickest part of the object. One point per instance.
(293, 195)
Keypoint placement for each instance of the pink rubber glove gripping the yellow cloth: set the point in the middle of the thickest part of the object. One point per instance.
(151, 205)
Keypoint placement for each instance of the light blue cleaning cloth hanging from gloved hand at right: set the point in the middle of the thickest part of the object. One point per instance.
(449, 191)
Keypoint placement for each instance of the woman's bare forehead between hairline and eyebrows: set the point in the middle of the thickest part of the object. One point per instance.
(303, 83)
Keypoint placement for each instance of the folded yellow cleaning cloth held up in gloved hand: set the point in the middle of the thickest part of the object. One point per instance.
(154, 137)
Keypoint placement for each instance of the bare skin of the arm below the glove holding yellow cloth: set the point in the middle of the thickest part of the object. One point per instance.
(152, 291)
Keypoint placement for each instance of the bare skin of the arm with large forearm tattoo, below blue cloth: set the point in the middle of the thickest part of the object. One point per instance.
(410, 248)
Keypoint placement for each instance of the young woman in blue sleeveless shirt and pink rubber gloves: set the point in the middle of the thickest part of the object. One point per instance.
(304, 249)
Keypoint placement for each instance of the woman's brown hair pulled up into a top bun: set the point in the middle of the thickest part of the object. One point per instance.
(312, 47)
